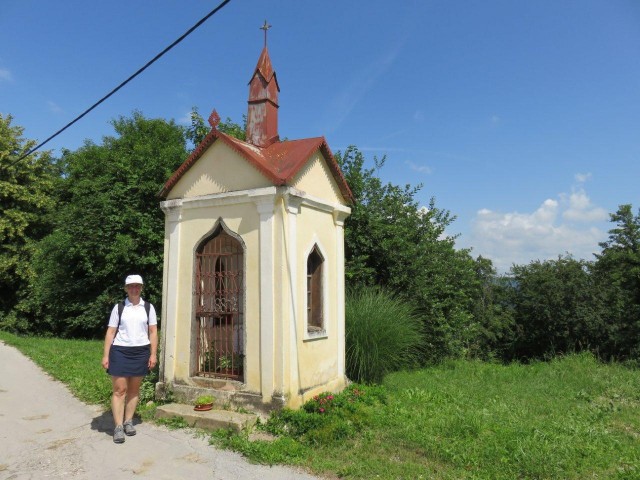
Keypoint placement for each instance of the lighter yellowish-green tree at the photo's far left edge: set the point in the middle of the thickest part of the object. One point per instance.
(27, 198)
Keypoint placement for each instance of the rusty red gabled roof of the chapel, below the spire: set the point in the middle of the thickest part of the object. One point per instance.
(279, 162)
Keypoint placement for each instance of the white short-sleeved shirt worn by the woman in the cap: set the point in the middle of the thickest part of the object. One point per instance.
(133, 331)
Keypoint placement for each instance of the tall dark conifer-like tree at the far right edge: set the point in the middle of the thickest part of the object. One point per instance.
(618, 276)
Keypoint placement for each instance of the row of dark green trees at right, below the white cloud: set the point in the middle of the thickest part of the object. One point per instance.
(559, 306)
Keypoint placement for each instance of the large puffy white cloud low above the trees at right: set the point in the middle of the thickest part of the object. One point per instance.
(567, 225)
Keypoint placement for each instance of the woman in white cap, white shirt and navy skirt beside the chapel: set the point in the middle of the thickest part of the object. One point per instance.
(130, 348)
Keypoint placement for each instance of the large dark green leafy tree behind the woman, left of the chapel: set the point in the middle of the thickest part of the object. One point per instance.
(108, 224)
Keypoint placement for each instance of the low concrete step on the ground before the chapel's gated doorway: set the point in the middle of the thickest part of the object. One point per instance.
(209, 420)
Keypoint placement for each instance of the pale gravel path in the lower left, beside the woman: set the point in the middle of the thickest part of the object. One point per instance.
(45, 432)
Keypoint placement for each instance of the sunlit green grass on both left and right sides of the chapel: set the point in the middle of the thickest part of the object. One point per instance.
(572, 418)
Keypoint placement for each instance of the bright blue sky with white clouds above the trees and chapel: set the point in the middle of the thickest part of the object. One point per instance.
(520, 117)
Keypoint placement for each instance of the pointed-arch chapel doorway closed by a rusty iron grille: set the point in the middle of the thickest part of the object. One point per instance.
(219, 300)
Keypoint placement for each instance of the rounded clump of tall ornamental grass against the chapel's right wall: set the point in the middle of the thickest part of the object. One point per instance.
(383, 334)
